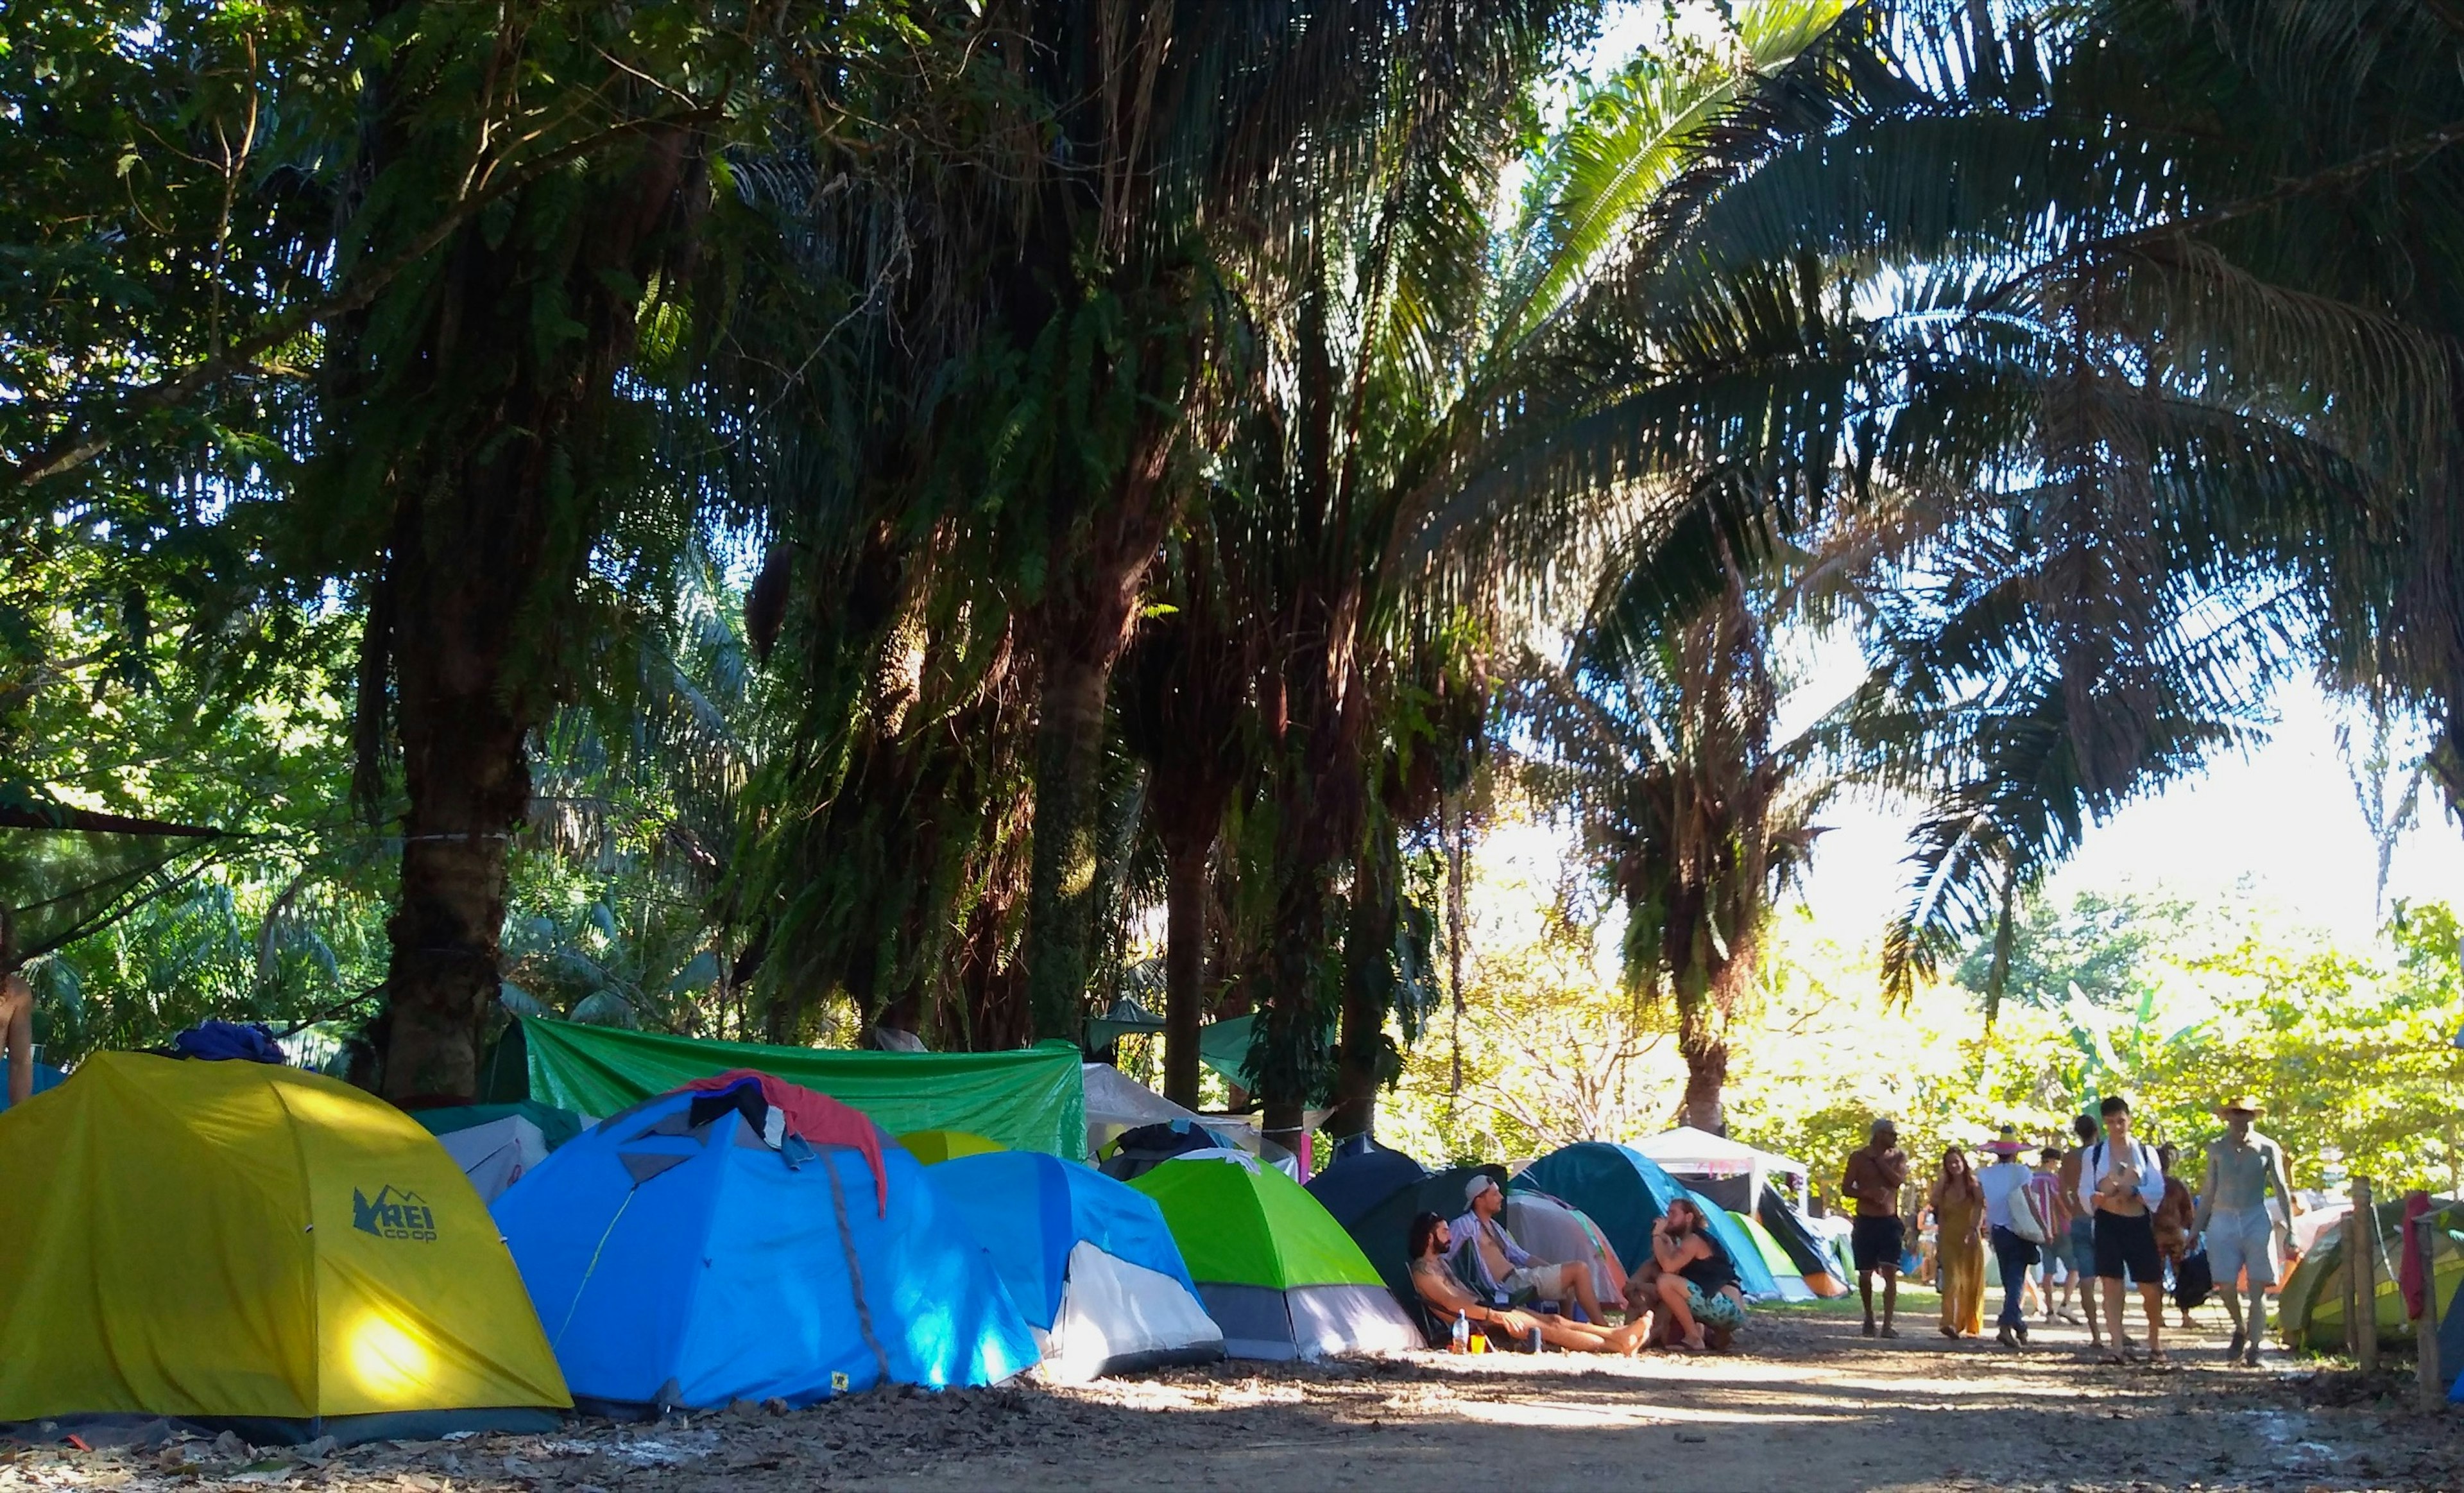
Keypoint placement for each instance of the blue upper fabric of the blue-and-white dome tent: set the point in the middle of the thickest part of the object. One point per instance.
(1031, 1211)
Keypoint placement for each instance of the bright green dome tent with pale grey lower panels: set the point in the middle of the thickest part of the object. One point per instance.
(1278, 1275)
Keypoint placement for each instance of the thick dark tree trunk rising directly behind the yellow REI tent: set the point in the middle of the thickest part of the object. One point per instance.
(492, 445)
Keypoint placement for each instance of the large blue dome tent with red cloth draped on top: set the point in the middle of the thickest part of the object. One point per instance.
(728, 1243)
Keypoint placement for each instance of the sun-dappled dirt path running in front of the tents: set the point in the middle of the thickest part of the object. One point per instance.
(1807, 1406)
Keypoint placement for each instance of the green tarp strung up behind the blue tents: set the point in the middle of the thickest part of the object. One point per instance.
(1031, 1100)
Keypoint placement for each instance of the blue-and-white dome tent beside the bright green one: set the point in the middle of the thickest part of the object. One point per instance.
(1088, 1260)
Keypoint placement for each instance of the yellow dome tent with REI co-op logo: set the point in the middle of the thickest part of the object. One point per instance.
(255, 1248)
